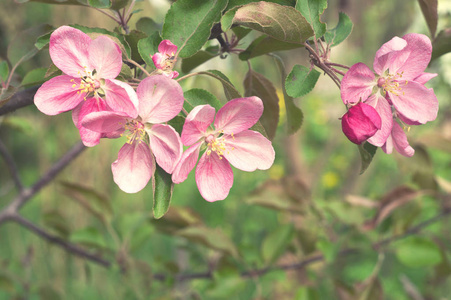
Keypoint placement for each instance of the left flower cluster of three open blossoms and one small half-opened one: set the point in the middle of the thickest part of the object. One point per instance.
(104, 107)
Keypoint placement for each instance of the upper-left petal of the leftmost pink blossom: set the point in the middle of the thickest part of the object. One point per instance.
(69, 51)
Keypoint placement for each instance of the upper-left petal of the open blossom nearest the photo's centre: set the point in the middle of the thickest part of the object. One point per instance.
(197, 123)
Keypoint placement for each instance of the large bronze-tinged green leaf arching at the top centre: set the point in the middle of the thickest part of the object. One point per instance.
(283, 23)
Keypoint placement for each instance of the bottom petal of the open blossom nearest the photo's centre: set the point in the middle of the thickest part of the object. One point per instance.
(214, 177)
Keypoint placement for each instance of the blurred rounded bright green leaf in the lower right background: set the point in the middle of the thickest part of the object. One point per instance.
(418, 252)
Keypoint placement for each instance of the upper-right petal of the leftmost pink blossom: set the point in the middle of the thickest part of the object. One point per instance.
(106, 57)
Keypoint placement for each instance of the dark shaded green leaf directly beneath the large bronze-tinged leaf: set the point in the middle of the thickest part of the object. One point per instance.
(264, 45)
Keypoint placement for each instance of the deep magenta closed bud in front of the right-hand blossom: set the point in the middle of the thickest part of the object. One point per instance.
(360, 123)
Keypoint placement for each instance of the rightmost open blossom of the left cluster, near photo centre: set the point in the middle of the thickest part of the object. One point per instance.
(230, 142)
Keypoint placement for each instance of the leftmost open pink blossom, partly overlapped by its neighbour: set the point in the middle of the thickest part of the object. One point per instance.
(90, 68)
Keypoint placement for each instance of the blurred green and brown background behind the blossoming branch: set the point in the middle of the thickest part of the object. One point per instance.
(311, 201)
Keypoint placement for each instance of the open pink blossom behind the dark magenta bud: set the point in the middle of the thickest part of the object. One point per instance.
(396, 90)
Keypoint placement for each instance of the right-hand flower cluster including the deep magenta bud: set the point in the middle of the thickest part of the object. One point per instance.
(393, 97)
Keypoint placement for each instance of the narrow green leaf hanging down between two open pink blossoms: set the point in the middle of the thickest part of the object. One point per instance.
(163, 187)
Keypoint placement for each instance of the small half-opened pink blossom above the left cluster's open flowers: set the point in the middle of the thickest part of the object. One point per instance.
(165, 59)
